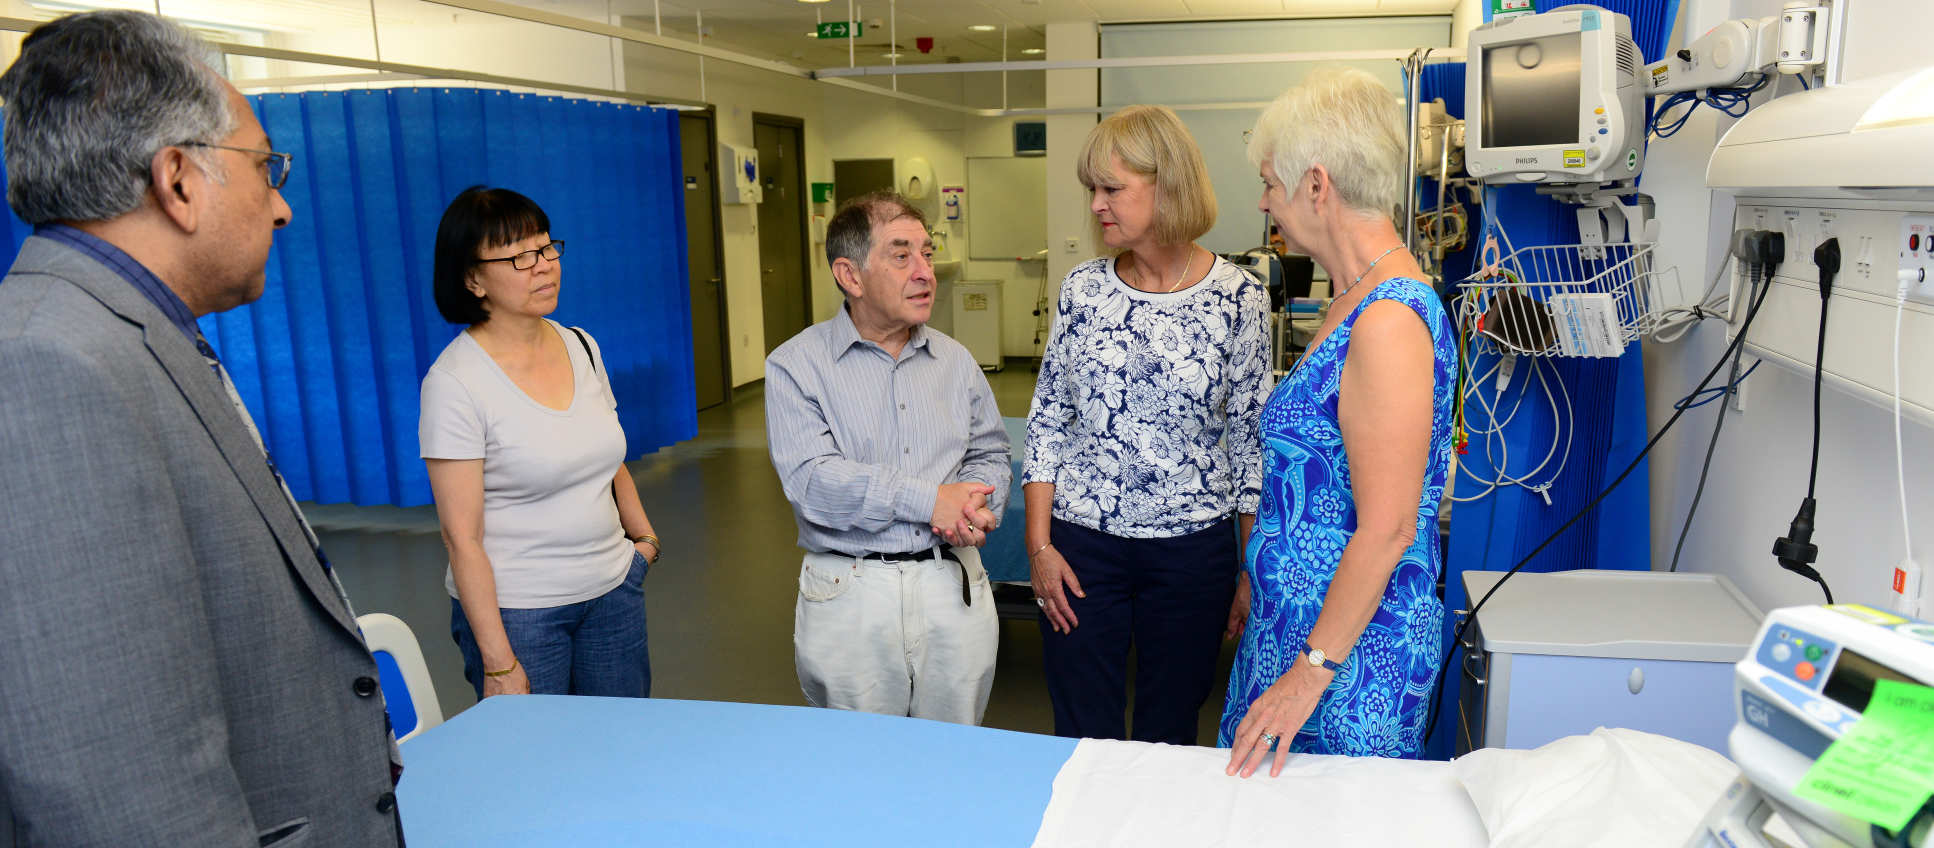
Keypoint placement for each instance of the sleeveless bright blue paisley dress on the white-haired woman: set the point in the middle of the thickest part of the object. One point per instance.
(1376, 704)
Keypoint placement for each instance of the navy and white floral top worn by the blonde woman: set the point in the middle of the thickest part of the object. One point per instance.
(1148, 408)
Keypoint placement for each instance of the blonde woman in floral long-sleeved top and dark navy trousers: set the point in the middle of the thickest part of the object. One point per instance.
(1142, 450)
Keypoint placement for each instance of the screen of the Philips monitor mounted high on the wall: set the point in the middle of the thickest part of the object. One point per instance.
(1531, 92)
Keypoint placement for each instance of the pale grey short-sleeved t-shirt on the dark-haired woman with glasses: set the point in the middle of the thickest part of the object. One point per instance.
(550, 526)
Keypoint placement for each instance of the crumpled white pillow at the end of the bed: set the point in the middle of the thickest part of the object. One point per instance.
(1618, 787)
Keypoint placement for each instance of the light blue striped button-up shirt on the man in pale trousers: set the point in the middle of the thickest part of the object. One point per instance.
(864, 440)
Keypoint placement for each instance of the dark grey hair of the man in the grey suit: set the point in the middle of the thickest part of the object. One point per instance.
(90, 104)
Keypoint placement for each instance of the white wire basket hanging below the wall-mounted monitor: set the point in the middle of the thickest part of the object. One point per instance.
(1568, 301)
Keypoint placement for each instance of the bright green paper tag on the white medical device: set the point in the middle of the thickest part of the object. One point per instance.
(1883, 768)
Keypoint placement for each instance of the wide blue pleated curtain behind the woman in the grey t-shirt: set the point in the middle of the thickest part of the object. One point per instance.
(332, 357)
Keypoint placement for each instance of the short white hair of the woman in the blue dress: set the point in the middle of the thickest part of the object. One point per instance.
(1351, 125)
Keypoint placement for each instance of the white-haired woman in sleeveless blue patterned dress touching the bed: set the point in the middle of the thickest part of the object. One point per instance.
(1345, 626)
